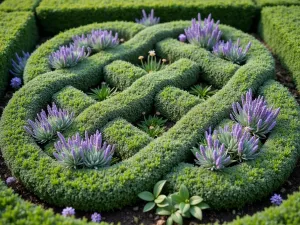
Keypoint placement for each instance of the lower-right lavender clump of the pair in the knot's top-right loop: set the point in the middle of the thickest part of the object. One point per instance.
(230, 51)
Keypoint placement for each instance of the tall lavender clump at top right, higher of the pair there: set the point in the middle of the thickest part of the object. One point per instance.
(205, 34)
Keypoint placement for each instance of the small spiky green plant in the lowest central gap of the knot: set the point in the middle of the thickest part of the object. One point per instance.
(154, 126)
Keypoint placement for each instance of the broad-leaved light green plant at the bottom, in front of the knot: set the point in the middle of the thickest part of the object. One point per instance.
(176, 206)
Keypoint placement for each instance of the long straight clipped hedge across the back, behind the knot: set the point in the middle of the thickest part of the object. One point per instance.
(52, 14)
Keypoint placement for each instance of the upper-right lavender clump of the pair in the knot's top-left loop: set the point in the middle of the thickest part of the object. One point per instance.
(97, 40)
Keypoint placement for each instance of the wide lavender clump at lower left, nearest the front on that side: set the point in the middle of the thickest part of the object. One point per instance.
(89, 152)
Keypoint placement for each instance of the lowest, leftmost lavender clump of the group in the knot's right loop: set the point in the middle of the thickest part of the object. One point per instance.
(213, 156)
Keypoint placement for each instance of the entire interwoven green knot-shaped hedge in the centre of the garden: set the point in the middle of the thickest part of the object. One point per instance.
(147, 160)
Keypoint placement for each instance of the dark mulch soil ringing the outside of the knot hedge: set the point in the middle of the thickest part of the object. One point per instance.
(134, 215)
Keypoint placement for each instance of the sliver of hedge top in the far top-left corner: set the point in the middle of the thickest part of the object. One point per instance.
(17, 5)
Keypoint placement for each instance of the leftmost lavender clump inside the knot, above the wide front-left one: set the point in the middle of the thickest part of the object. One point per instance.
(45, 127)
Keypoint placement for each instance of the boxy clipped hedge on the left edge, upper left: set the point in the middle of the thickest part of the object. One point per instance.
(18, 32)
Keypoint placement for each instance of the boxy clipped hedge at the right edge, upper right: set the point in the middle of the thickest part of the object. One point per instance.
(279, 27)
